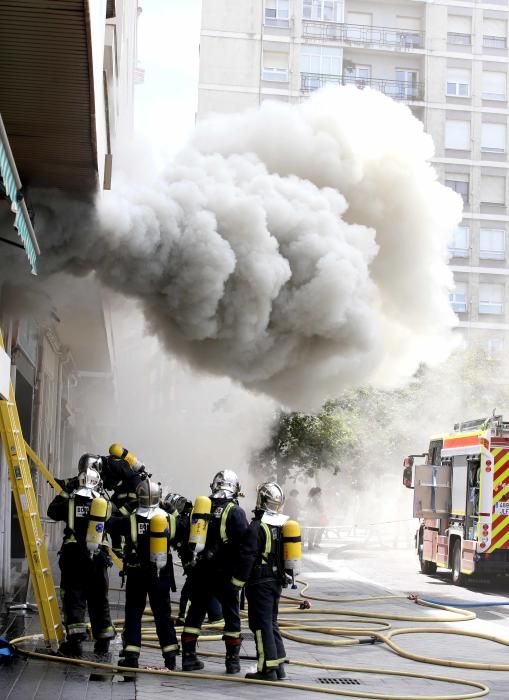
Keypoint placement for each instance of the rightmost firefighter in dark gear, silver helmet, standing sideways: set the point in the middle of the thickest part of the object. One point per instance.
(261, 566)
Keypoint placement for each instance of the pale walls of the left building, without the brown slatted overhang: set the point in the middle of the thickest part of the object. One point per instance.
(62, 362)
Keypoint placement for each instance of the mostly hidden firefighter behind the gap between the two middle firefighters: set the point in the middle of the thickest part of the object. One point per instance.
(181, 508)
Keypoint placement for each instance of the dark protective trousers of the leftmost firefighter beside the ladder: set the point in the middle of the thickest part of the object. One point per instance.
(84, 582)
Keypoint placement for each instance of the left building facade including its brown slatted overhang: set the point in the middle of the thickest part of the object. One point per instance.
(67, 103)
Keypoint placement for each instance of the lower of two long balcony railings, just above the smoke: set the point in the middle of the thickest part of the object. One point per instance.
(397, 89)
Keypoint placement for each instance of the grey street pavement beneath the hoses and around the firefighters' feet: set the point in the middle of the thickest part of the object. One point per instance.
(355, 565)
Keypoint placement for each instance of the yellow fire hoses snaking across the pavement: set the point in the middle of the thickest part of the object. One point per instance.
(375, 629)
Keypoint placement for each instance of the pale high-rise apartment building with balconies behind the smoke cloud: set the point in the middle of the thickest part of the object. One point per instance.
(447, 59)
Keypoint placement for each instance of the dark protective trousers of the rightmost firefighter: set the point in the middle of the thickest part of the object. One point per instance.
(263, 603)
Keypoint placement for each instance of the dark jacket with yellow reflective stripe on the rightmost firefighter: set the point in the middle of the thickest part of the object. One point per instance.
(261, 551)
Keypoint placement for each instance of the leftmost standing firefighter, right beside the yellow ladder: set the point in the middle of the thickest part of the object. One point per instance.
(84, 569)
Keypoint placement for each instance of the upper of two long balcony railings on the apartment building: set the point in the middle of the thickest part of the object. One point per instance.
(363, 34)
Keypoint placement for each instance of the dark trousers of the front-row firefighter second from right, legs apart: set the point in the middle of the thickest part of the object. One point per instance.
(206, 584)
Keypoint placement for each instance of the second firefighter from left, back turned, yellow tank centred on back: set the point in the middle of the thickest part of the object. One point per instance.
(145, 575)
